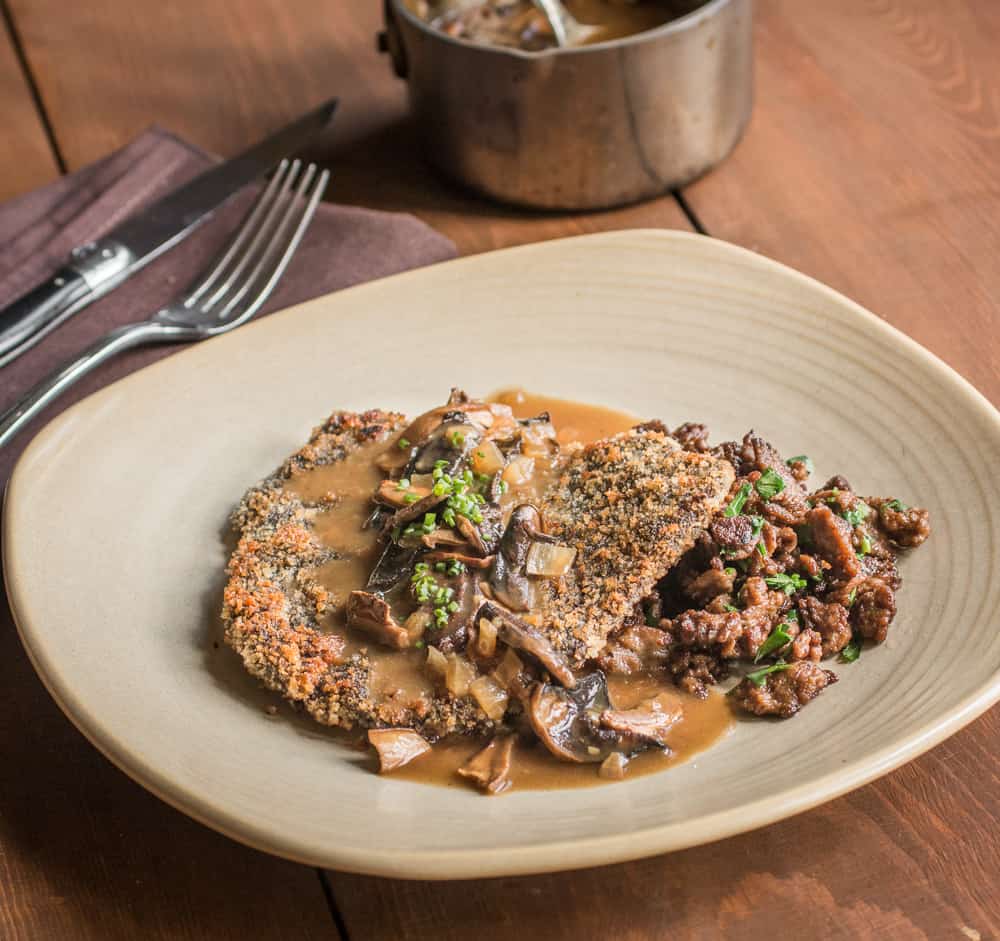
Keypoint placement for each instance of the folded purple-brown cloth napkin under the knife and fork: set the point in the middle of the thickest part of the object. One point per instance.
(345, 245)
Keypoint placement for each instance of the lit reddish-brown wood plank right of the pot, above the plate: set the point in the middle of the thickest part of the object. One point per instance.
(873, 163)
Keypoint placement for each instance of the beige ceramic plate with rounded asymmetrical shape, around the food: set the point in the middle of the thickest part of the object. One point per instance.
(115, 518)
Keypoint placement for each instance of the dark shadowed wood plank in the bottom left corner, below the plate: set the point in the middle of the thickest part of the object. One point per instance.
(87, 854)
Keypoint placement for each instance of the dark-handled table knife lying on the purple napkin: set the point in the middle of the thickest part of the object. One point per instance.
(94, 269)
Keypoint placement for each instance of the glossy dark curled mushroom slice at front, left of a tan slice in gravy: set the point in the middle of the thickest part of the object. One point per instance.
(565, 722)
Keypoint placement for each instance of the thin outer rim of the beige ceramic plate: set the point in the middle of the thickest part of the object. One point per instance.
(431, 864)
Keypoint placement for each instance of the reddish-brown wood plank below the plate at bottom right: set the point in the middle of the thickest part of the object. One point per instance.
(914, 856)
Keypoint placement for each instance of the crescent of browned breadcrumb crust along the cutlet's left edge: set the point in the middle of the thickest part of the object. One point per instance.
(271, 605)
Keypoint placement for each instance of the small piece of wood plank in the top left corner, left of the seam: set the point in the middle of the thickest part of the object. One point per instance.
(26, 158)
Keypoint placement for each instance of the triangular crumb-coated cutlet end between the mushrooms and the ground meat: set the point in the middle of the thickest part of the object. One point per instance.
(632, 505)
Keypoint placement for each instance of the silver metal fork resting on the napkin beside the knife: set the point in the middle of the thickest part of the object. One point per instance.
(226, 295)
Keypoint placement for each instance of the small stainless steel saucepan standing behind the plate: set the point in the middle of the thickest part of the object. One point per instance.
(581, 128)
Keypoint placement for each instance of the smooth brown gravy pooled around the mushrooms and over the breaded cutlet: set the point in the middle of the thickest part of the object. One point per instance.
(347, 487)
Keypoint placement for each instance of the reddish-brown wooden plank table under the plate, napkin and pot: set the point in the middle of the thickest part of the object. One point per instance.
(872, 163)
